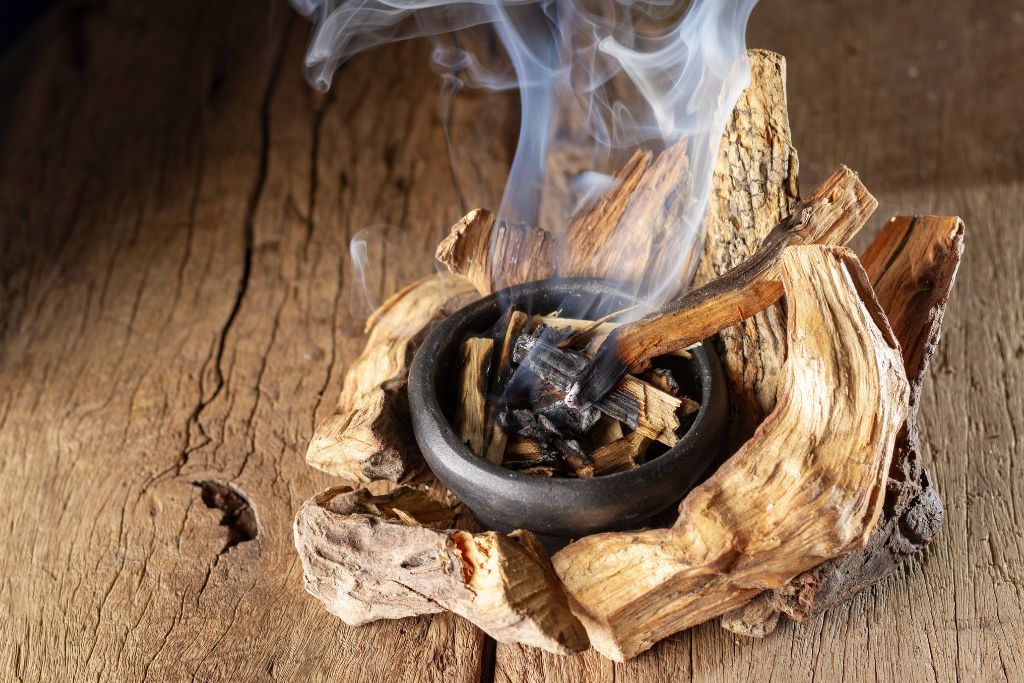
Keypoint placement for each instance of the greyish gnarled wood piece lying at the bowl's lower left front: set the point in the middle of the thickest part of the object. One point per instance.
(365, 562)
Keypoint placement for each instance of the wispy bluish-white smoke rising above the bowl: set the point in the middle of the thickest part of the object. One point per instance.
(617, 74)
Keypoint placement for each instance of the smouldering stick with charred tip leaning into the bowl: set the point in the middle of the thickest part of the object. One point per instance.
(832, 215)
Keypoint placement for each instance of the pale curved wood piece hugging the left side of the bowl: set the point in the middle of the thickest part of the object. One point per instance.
(369, 435)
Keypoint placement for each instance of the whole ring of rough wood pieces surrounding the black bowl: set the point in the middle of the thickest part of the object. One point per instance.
(823, 492)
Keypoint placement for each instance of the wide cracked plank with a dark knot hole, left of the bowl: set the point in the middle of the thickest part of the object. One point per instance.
(175, 264)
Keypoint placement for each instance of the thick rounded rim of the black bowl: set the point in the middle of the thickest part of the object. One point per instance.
(432, 425)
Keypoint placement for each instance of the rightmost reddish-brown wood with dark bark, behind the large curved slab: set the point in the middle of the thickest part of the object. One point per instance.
(913, 265)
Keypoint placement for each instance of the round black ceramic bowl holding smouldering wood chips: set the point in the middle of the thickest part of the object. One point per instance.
(504, 500)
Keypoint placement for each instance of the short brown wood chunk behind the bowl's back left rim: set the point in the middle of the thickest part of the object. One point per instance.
(494, 259)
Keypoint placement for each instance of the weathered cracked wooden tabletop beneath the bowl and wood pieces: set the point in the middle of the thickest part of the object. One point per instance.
(177, 293)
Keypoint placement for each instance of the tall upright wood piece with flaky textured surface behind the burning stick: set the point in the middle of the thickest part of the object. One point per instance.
(753, 190)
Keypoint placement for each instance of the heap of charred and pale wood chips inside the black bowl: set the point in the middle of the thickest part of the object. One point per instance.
(517, 388)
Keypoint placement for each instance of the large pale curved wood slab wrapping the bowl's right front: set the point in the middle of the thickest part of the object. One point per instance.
(808, 487)
